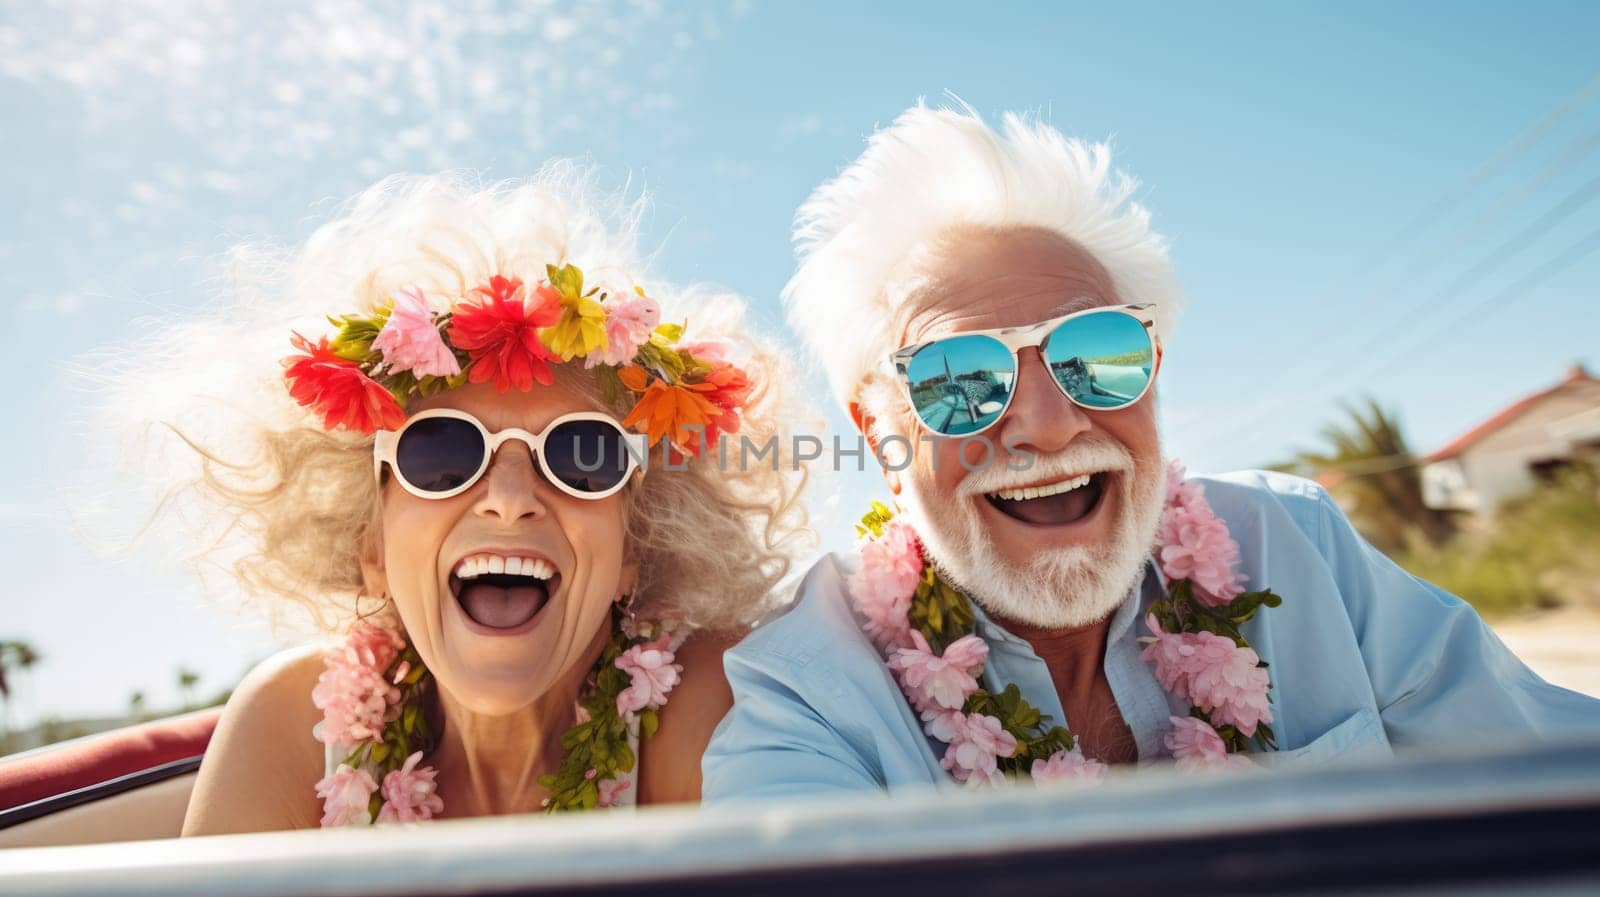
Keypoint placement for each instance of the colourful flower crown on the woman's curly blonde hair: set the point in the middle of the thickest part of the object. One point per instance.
(361, 380)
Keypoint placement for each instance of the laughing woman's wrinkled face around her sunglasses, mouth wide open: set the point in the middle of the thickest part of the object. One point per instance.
(494, 639)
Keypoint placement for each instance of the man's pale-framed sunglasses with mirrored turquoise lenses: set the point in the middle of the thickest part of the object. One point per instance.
(1102, 361)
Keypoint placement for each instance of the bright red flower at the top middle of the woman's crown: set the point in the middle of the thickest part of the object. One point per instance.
(502, 335)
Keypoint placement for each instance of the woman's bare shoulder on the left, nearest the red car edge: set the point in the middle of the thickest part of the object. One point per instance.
(263, 763)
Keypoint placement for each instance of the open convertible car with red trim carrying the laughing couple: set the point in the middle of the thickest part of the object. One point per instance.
(100, 816)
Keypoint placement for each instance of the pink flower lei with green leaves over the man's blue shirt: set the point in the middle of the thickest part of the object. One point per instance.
(924, 629)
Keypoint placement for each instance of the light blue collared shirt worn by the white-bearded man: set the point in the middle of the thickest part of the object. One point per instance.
(1364, 658)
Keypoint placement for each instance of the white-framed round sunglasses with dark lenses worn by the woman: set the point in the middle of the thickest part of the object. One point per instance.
(442, 452)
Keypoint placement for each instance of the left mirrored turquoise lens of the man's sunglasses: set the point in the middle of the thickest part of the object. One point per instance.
(961, 386)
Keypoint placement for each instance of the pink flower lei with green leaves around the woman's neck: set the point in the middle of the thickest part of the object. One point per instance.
(372, 695)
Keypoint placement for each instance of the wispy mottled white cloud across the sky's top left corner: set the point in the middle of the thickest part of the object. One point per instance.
(306, 94)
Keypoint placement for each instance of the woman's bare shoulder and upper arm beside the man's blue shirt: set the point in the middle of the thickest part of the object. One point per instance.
(700, 701)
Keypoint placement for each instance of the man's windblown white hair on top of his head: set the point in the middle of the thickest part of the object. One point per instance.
(935, 170)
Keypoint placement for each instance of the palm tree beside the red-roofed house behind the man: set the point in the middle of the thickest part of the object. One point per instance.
(1372, 469)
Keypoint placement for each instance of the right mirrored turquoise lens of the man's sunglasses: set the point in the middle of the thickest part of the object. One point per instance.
(1102, 361)
